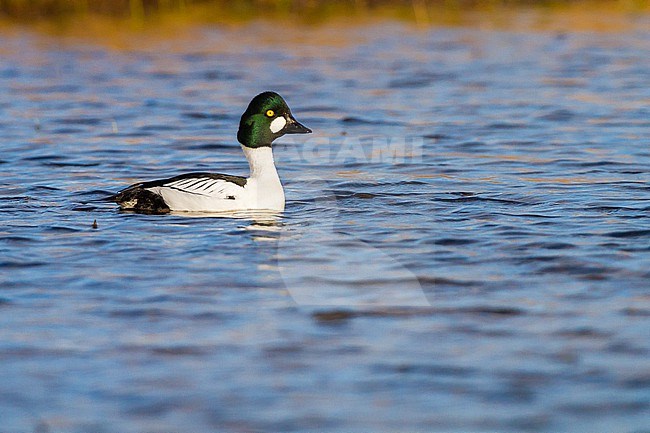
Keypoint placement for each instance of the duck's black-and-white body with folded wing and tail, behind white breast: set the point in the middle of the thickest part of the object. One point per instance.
(192, 192)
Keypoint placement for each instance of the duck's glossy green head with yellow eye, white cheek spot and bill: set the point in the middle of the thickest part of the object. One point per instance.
(267, 118)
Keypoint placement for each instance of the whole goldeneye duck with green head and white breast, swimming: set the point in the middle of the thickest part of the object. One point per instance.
(267, 117)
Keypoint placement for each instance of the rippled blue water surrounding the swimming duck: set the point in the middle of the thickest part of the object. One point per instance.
(466, 244)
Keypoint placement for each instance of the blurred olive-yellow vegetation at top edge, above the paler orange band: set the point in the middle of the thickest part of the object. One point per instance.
(145, 11)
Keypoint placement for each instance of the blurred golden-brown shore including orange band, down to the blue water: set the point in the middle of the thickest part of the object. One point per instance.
(68, 16)
